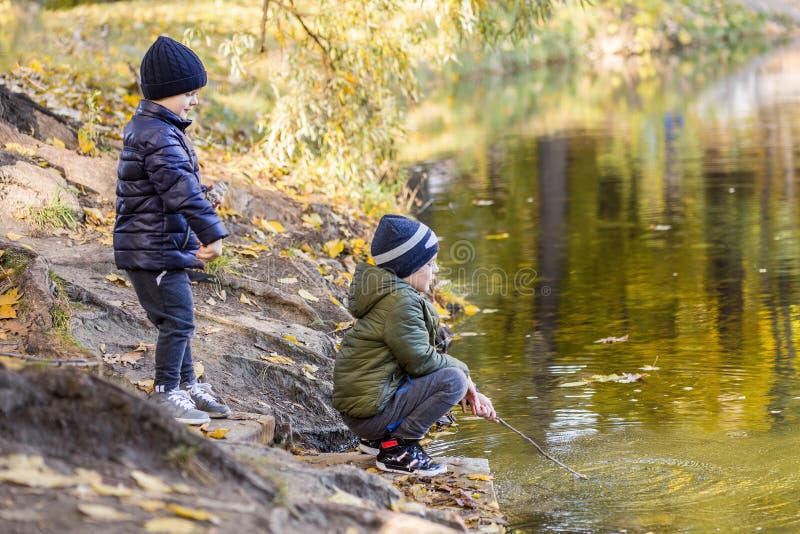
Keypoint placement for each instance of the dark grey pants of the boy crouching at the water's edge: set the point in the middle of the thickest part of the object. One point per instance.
(415, 407)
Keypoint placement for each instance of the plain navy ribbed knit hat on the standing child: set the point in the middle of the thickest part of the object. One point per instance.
(170, 68)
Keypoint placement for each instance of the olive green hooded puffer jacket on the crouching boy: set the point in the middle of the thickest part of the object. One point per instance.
(394, 336)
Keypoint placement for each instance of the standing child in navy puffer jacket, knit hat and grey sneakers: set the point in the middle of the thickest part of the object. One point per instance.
(165, 225)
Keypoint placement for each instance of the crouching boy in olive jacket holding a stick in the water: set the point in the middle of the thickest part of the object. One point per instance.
(390, 384)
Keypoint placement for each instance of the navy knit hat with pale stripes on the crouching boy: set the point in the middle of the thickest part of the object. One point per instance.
(402, 246)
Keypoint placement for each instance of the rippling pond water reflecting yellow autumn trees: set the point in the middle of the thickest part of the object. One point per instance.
(661, 206)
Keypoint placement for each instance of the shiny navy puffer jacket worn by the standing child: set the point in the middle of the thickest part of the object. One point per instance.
(162, 213)
